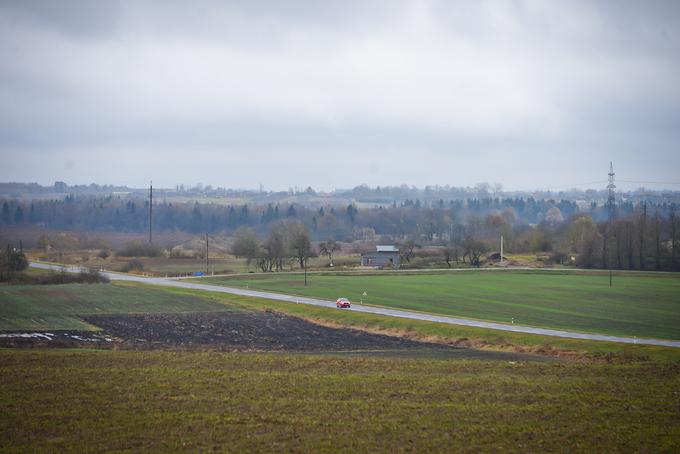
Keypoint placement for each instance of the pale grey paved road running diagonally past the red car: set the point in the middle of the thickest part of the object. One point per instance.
(169, 282)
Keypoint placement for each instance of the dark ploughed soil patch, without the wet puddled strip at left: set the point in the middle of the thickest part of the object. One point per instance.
(267, 331)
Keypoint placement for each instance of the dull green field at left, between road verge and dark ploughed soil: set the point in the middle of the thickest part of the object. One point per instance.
(57, 307)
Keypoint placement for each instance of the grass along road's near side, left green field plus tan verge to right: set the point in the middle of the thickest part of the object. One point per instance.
(58, 307)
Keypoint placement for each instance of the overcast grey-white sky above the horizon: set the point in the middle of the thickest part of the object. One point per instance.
(529, 94)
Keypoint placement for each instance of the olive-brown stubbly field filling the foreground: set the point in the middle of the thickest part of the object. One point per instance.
(80, 401)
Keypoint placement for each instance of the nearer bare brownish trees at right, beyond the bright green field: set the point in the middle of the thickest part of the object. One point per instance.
(642, 240)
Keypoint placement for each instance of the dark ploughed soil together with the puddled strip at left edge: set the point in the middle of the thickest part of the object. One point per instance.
(240, 331)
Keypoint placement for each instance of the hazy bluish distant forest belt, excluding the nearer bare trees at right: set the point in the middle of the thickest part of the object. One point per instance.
(130, 214)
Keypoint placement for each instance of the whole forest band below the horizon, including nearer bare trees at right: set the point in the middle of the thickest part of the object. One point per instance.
(640, 235)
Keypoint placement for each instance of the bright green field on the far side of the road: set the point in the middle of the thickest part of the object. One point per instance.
(643, 305)
